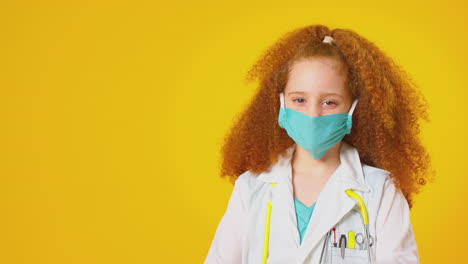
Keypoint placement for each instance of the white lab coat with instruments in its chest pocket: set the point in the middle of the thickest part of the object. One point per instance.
(239, 237)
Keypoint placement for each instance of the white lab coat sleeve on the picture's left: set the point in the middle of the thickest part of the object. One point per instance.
(226, 246)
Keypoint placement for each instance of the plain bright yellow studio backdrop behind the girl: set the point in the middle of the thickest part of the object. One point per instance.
(113, 113)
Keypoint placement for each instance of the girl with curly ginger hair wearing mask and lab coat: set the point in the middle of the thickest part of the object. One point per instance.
(326, 159)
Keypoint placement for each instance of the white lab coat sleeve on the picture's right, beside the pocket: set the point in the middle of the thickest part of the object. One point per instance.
(395, 242)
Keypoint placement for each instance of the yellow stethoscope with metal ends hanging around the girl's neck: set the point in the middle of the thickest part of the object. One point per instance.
(365, 220)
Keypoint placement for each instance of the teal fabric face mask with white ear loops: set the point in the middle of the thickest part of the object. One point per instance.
(315, 134)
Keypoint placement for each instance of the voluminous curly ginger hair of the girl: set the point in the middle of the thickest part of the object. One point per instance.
(385, 127)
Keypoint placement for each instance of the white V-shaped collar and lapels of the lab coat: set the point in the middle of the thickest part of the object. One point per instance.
(332, 204)
